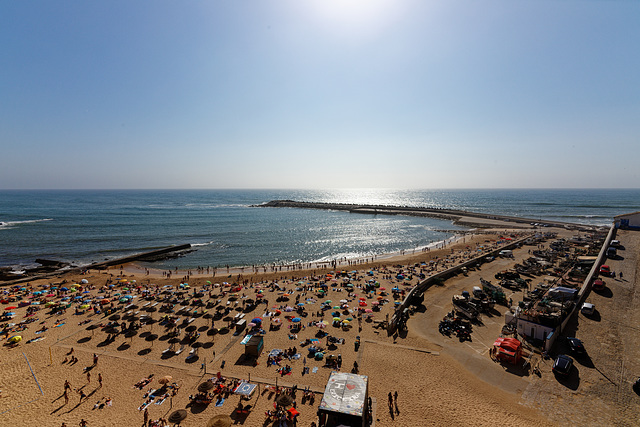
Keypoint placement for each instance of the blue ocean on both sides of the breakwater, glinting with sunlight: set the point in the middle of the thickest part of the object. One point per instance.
(82, 226)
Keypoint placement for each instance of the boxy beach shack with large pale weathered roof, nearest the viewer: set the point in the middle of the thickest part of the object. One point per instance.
(345, 401)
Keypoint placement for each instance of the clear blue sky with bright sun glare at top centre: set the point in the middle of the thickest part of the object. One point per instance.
(319, 94)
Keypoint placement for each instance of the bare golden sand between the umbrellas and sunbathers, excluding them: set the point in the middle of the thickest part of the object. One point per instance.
(433, 388)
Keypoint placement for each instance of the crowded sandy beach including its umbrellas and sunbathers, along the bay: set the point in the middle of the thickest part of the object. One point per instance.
(433, 387)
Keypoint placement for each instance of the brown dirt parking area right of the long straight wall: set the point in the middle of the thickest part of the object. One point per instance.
(598, 391)
